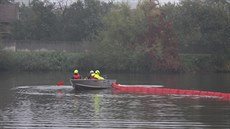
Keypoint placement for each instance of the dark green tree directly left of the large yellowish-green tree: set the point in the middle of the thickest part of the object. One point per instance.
(82, 20)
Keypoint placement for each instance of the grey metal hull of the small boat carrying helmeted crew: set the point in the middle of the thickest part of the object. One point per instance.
(84, 84)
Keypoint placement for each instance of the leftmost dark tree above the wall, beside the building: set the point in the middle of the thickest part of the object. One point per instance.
(37, 22)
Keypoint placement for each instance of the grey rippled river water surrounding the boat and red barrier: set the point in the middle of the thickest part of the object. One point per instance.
(33, 101)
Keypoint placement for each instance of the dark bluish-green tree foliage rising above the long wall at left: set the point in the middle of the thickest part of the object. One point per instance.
(43, 20)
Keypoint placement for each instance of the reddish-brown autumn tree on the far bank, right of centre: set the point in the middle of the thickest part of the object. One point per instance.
(160, 38)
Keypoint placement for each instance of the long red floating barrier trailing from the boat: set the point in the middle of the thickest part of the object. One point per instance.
(168, 91)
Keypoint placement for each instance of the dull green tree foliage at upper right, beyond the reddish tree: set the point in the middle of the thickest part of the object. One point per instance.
(201, 22)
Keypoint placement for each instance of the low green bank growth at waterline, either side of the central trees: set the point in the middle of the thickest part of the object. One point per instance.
(59, 61)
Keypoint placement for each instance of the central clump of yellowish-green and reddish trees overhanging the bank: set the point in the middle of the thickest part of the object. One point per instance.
(139, 40)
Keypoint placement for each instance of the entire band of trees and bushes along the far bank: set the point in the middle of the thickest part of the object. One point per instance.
(149, 38)
